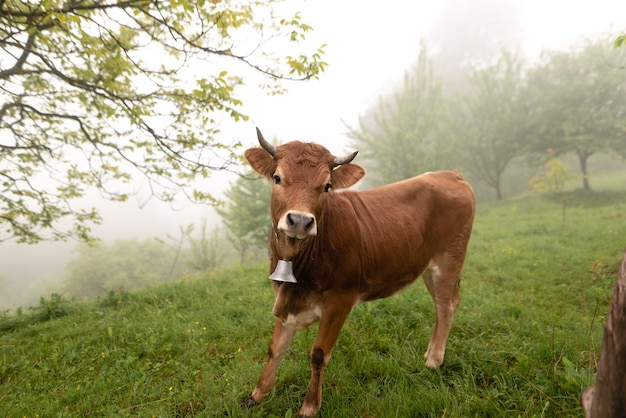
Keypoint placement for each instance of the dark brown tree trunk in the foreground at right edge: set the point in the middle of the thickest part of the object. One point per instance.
(607, 399)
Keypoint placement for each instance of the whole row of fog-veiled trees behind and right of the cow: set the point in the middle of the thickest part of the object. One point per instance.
(571, 103)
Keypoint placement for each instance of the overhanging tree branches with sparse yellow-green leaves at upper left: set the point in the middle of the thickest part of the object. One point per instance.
(99, 93)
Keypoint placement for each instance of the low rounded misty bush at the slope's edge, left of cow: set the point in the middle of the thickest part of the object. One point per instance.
(124, 264)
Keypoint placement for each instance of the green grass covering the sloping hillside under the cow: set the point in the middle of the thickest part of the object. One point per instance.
(525, 340)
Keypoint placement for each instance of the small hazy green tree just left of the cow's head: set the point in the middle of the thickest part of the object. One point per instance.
(247, 215)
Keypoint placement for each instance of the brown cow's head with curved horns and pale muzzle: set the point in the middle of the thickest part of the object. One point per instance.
(303, 175)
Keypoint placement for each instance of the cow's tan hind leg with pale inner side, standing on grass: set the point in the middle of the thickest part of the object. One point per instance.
(442, 281)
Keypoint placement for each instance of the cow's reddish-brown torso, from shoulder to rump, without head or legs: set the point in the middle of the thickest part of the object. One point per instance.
(397, 229)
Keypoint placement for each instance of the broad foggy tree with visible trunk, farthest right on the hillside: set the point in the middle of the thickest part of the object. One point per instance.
(579, 102)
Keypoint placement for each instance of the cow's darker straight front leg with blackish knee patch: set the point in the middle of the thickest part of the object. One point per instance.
(329, 329)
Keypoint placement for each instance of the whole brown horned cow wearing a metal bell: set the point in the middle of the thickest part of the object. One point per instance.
(351, 247)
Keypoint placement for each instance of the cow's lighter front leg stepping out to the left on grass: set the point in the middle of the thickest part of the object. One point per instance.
(281, 340)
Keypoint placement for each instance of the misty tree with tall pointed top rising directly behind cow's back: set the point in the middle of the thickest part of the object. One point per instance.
(399, 138)
